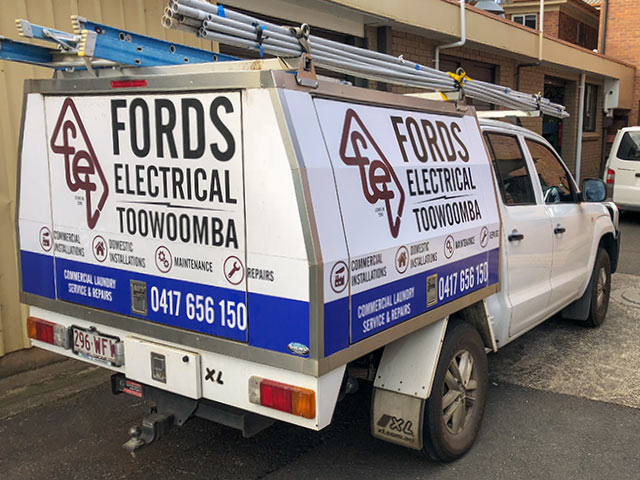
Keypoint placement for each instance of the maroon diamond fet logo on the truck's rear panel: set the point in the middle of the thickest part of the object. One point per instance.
(81, 167)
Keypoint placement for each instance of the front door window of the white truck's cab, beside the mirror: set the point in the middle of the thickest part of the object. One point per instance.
(556, 184)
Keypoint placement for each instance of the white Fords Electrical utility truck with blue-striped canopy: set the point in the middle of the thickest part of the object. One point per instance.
(245, 243)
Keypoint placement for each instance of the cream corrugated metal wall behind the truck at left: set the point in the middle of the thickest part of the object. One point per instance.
(141, 16)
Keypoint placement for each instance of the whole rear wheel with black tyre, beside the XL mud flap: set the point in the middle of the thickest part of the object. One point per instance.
(454, 410)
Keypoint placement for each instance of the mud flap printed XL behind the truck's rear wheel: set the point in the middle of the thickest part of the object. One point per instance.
(397, 418)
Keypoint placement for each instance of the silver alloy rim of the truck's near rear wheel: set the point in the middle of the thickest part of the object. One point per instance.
(458, 399)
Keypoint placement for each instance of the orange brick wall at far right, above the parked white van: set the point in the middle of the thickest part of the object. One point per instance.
(623, 25)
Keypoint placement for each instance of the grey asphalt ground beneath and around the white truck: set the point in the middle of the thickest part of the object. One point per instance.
(564, 403)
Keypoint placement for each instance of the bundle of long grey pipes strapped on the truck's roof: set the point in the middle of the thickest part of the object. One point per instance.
(227, 26)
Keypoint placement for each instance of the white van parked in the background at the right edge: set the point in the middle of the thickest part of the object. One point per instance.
(622, 171)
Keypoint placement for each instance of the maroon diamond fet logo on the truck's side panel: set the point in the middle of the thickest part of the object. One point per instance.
(379, 181)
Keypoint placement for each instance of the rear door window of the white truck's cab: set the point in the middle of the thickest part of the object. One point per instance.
(510, 166)
